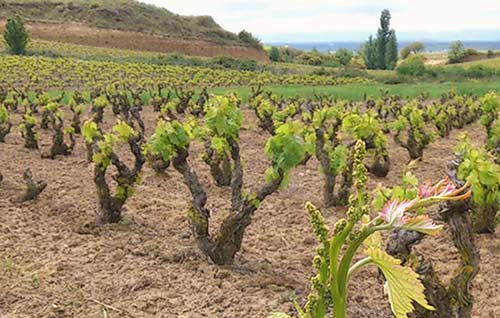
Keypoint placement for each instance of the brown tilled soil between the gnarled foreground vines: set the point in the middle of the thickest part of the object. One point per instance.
(55, 263)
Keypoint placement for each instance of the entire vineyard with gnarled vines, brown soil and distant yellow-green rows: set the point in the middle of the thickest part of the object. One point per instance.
(129, 190)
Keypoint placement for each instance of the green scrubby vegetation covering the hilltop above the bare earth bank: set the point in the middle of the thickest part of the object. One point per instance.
(126, 15)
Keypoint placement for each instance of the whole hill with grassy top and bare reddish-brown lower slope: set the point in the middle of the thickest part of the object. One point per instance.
(57, 20)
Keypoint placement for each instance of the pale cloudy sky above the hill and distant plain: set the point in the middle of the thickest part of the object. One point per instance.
(352, 20)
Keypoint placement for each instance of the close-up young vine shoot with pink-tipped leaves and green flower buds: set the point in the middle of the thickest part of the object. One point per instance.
(361, 231)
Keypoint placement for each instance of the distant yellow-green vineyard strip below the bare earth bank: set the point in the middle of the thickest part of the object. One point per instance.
(68, 73)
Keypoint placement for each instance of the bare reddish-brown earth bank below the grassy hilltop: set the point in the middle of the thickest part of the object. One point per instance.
(78, 33)
